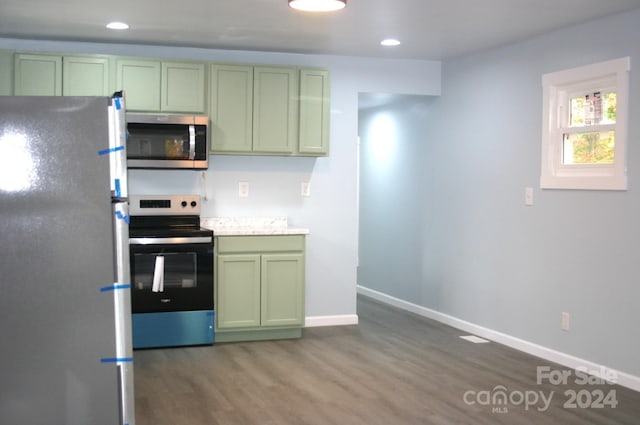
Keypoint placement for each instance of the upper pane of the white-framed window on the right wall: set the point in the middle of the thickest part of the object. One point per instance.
(593, 109)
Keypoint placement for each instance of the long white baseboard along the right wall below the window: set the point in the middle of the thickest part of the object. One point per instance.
(623, 379)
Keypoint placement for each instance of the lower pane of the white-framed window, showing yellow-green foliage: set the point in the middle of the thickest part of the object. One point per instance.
(588, 148)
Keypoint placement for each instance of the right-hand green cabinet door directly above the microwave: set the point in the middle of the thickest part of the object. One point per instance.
(183, 87)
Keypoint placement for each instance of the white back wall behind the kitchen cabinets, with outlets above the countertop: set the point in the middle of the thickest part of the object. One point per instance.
(330, 213)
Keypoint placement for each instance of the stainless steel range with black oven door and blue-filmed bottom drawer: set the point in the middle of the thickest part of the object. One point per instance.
(171, 272)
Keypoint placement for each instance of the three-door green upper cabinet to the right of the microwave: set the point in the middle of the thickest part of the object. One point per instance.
(268, 110)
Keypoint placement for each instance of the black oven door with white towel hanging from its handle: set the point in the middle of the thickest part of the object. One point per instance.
(171, 274)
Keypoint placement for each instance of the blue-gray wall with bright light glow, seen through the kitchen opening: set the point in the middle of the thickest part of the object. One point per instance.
(392, 196)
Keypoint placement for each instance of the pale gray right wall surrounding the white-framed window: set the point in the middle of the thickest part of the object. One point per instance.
(488, 259)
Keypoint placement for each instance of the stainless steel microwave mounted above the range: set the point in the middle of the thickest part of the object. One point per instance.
(168, 141)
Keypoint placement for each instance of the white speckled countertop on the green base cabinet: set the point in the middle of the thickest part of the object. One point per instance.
(238, 226)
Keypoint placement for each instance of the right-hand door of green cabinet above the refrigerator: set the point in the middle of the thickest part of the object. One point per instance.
(85, 76)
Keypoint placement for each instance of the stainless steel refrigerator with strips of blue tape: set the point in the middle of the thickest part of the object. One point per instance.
(65, 310)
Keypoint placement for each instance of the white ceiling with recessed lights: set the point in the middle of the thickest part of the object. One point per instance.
(428, 29)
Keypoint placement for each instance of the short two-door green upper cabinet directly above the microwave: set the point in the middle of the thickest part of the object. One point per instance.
(155, 86)
